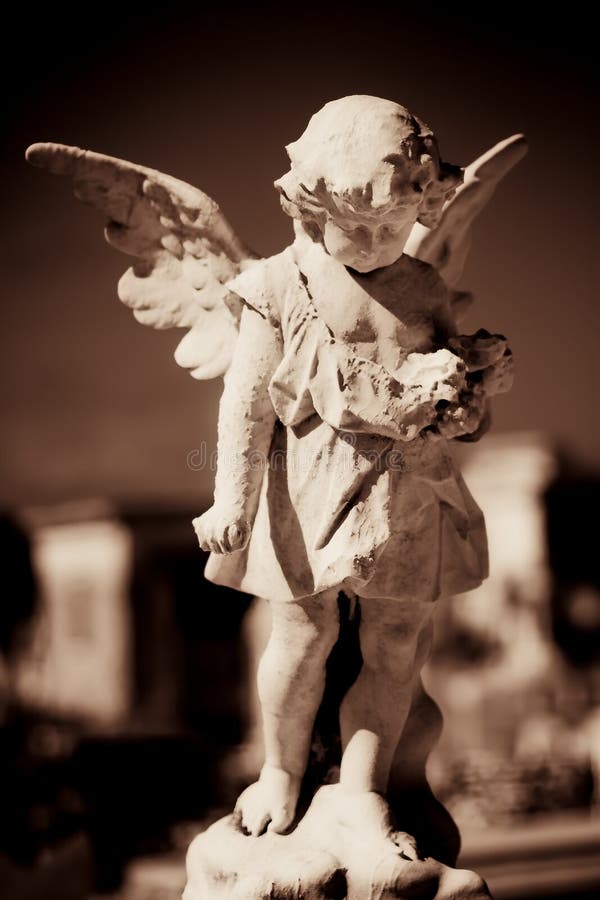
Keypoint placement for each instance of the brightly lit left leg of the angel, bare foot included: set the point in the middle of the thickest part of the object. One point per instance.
(291, 679)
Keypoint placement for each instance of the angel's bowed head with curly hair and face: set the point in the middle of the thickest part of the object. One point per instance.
(363, 172)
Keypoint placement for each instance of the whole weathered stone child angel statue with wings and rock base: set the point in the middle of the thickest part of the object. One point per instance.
(345, 376)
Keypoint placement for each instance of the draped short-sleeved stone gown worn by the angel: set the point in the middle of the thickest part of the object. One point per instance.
(353, 496)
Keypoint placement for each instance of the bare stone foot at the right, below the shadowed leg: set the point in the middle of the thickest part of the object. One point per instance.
(368, 814)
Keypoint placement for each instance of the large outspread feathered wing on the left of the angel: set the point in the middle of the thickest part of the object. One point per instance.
(185, 250)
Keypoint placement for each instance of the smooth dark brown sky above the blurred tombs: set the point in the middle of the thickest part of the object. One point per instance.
(213, 99)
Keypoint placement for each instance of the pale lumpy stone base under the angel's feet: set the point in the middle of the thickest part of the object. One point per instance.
(324, 858)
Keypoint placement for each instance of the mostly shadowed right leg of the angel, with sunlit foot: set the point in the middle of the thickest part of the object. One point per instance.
(395, 639)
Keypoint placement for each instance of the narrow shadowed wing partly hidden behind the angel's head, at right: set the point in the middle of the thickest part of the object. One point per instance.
(446, 246)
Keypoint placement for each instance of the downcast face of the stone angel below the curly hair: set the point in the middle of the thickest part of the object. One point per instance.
(365, 245)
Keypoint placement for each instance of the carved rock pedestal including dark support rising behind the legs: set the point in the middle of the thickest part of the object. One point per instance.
(334, 852)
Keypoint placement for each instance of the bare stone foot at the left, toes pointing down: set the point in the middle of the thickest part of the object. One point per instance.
(272, 799)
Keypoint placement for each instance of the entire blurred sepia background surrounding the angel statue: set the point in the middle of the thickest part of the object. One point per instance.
(126, 718)
